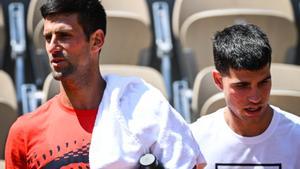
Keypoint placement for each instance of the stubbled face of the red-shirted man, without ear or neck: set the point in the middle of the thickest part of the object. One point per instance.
(67, 46)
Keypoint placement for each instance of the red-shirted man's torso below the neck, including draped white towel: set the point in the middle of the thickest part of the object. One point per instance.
(134, 119)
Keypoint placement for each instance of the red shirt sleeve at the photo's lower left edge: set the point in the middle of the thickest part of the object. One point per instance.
(15, 156)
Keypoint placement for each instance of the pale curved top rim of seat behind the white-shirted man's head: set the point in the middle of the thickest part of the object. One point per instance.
(186, 8)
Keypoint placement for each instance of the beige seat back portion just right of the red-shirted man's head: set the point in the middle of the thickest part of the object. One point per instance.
(128, 31)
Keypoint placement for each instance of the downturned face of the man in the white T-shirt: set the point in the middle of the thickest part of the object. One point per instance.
(247, 94)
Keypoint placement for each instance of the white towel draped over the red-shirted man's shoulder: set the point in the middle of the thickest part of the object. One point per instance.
(133, 119)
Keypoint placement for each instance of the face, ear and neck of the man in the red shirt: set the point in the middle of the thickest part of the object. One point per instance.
(74, 60)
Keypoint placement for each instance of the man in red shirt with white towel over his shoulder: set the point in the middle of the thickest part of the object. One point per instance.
(59, 133)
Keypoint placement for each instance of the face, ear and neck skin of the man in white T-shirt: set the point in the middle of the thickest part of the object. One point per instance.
(247, 95)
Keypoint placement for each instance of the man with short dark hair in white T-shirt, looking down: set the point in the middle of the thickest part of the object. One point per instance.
(248, 132)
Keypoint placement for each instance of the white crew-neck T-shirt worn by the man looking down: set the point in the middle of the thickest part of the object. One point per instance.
(224, 149)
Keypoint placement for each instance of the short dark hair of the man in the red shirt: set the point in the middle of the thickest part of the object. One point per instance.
(91, 14)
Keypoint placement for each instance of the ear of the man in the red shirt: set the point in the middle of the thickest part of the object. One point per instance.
(97, 40)
